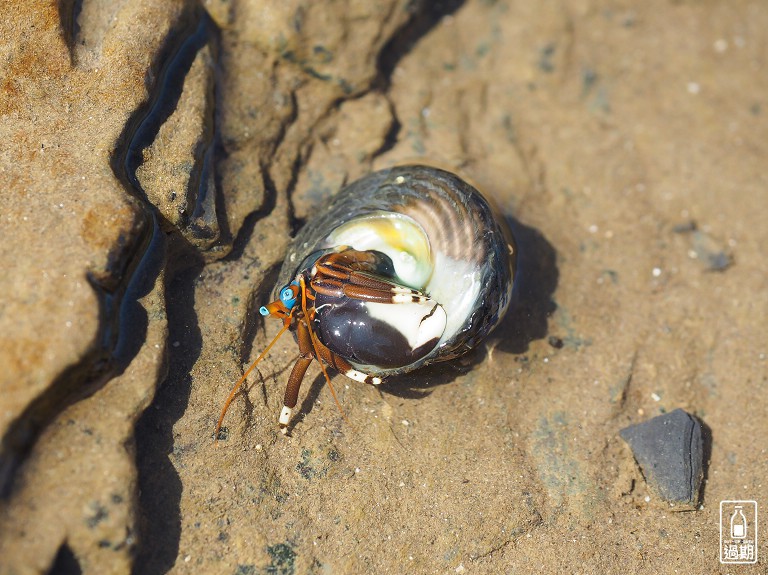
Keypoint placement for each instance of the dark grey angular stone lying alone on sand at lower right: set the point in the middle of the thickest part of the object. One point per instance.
(669, 450)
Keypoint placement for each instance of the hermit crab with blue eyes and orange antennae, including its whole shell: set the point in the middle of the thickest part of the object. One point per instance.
(405, 267)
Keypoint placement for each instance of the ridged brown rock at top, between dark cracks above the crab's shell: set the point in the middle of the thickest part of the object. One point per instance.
(285, 69)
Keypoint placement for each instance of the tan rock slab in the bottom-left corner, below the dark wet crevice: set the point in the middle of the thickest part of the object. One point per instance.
(79, 483)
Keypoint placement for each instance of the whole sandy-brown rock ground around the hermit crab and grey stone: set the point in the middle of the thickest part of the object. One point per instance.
(158, 157)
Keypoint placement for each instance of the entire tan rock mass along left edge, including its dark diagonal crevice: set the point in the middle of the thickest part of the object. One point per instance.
(81, 355)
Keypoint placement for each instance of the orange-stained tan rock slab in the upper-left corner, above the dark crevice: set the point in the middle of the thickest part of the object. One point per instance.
(67, 219)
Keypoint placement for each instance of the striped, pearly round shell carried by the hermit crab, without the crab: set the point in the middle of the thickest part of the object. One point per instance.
(443, 239)
